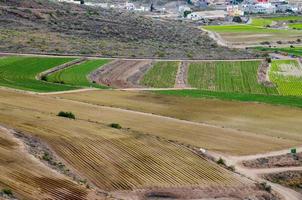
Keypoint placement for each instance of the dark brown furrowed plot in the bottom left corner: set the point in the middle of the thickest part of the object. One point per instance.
(33, 184)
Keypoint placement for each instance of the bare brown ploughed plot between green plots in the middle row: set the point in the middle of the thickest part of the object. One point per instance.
(121, 73)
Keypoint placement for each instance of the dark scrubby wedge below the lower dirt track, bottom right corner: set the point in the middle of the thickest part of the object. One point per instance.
(291, 179)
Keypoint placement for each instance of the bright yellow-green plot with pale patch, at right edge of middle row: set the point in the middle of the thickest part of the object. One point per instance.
(287, 75)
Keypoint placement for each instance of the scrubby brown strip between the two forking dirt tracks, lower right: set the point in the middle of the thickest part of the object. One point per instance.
(287, 160)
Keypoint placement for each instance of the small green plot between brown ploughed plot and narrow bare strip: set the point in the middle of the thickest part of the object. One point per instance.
(161, 75)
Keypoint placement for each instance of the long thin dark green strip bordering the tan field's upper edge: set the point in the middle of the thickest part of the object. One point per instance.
(269, 99)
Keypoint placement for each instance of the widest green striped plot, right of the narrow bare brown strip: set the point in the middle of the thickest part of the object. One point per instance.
(237, 76)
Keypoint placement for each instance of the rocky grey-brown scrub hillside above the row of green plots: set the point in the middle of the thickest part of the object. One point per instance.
(41, 26)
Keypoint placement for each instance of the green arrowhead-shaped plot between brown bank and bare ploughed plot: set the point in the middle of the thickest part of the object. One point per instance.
(77, 74)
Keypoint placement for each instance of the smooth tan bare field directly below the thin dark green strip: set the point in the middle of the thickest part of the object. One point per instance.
(262, 119)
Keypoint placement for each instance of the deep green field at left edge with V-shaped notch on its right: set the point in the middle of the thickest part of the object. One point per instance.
(21, 72)
